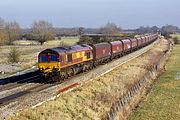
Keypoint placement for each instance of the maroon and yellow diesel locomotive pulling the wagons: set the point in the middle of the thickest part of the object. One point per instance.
(65, 61)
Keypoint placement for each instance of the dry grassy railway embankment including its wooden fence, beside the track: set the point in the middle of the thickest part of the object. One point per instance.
(111, 96)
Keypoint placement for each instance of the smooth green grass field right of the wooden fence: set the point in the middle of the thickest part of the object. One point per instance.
(164, 101)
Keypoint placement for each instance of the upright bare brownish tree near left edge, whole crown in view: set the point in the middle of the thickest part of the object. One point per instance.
(13, 32)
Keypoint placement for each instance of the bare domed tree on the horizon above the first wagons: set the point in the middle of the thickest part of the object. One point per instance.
(110, 29)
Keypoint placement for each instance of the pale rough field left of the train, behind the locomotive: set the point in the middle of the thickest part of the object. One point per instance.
(28, 52)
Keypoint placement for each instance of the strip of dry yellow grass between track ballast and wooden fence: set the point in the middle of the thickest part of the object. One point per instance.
(94, 99)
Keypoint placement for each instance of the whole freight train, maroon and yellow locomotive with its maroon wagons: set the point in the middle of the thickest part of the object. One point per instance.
(67, 61)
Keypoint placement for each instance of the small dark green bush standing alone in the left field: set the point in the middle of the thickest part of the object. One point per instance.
(14, 55)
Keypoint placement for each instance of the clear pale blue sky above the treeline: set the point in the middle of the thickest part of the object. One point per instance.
(127, 14)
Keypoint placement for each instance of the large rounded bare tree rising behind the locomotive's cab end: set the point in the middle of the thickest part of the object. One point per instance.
(43, 31)
